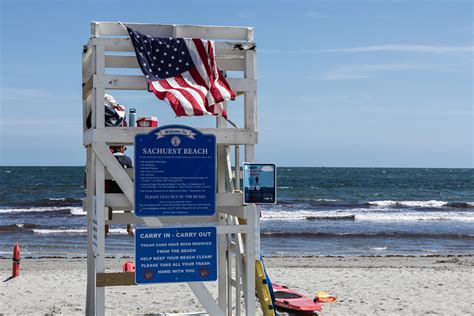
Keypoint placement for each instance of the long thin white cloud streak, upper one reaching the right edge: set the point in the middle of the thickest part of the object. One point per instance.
(402, 48)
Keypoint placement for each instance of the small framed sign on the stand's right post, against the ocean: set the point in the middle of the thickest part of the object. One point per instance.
(259, 183)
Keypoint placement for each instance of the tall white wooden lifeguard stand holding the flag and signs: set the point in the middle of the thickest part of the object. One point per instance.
(237, 224)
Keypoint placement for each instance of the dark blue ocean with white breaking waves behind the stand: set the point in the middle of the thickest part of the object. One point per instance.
(320, 212)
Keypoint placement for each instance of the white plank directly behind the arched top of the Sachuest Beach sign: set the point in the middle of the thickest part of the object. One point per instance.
(126, 136)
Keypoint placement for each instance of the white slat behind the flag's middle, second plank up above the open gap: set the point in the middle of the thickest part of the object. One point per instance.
(121, 61)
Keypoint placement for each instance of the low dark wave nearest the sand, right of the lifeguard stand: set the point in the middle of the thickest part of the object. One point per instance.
(394, 234)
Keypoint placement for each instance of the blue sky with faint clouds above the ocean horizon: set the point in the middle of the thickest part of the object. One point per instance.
(340, 83)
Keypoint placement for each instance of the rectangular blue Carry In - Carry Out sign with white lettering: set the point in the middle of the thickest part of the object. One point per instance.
(186, 254)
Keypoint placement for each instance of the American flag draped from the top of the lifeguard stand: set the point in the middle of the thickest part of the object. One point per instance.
(183, 72)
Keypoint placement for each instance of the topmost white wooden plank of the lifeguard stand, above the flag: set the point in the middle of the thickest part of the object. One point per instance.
(167, 30)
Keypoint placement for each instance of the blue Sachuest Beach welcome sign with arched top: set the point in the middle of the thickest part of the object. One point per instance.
(175, 172)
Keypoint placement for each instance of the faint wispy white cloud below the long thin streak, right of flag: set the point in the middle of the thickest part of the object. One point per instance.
(354, 72)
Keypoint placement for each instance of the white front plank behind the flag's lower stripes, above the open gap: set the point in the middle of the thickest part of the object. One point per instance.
(127, 82)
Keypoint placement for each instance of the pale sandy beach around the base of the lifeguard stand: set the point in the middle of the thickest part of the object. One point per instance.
(363, 286)
